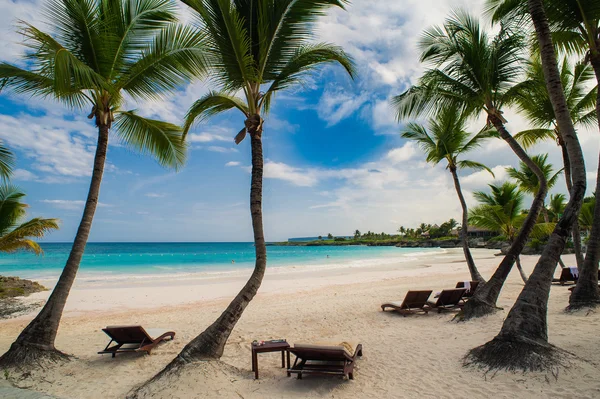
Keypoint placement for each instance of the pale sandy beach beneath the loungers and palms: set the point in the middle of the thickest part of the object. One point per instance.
(416, 356)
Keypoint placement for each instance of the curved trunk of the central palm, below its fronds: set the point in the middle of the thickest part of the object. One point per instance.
(209, 345)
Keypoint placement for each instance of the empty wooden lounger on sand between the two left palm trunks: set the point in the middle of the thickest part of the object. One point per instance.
(134, 339)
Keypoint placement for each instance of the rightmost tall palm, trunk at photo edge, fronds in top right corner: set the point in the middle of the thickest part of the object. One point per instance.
(574, 25)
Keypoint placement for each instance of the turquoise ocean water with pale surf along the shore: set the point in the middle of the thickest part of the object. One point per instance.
(103, 260)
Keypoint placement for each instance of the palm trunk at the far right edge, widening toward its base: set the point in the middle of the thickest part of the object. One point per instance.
(586, 293)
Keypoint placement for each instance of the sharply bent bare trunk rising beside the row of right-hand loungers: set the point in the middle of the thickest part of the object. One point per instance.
(485, 298)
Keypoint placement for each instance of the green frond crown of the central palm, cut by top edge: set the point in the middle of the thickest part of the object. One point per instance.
(258, 48)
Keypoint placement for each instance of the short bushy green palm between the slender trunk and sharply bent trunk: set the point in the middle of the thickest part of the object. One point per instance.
(501, 211)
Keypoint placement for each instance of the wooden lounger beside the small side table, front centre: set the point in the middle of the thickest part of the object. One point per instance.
(324, 359)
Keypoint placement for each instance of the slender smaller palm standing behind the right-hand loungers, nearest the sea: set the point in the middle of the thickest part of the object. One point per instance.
(447, 140)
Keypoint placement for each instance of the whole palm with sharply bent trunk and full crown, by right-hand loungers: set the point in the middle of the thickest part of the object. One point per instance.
(479, 73)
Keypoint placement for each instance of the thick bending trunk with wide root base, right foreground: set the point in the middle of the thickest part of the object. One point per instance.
(522, 343)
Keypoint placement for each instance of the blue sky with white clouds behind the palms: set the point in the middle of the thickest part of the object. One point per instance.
(335, 161)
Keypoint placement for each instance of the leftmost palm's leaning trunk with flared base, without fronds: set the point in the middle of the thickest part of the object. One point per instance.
(37, 339)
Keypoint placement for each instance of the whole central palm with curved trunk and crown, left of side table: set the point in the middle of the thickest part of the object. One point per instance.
(257, 48)
